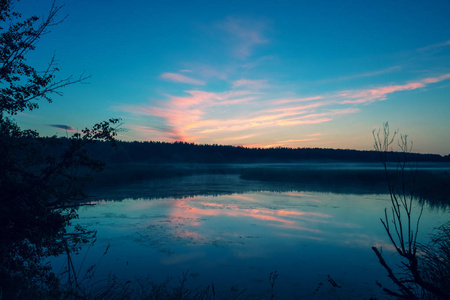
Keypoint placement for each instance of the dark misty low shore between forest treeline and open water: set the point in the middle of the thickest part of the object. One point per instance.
(432, 180)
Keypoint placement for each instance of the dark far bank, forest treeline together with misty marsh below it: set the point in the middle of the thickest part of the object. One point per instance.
(131, 162)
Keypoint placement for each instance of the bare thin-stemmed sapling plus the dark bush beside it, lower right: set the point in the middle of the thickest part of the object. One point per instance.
(425, 267)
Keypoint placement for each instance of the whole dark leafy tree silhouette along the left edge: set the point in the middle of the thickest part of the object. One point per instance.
(41, 179)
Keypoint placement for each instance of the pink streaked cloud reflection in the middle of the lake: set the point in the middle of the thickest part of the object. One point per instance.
(234, 209)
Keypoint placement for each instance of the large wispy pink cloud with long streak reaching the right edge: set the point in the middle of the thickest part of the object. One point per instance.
(237, 115)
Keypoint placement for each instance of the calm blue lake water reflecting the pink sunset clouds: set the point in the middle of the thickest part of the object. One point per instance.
(228, 231)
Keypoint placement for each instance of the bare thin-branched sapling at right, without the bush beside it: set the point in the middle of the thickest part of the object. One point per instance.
(404, 231)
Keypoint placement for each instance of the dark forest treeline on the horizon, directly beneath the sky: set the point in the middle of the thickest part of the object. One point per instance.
(182, 152)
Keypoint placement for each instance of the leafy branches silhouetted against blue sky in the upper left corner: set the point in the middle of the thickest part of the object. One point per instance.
(21, 84)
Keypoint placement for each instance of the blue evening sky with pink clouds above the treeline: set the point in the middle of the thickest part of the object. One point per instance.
(250, 73)
